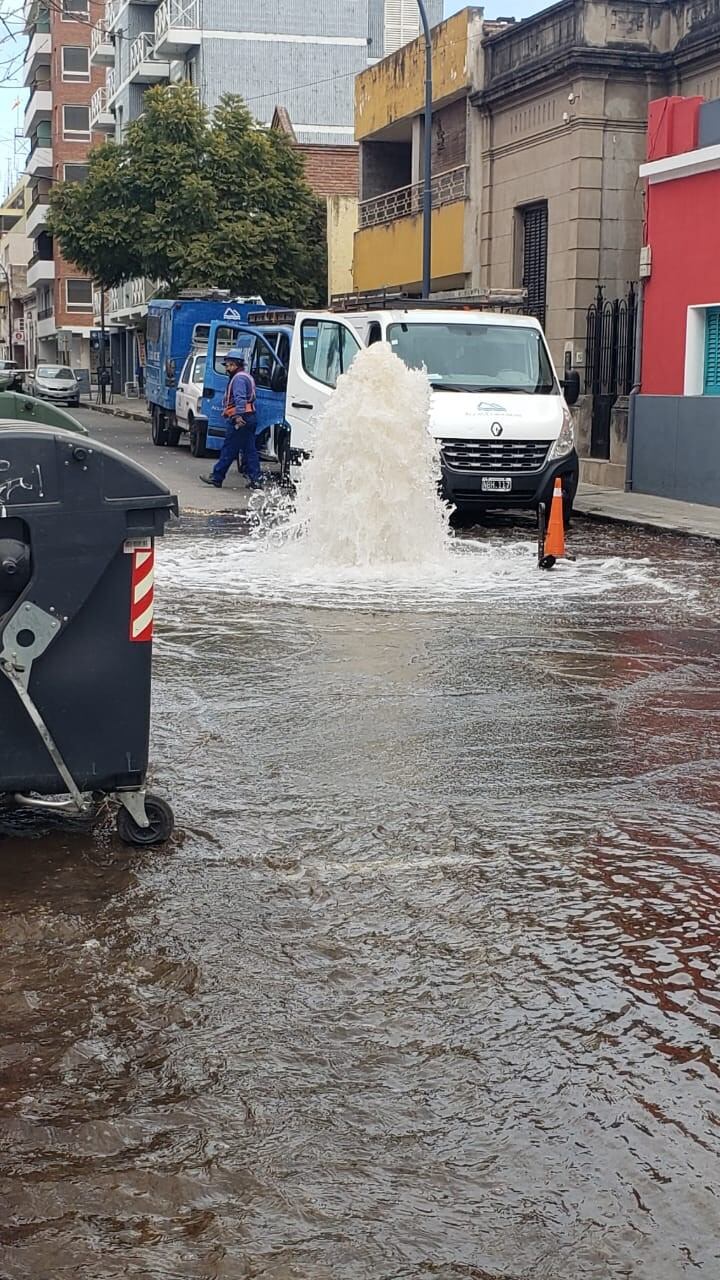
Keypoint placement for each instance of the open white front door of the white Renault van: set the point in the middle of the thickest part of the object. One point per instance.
(323, 348)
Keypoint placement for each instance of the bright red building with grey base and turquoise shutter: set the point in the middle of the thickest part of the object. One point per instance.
(676, 427)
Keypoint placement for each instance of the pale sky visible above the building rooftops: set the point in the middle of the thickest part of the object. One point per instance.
(12, 88)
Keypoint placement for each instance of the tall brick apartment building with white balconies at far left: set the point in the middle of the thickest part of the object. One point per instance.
(61, 81)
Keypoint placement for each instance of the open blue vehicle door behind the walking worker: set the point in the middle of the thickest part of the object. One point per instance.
(257, 350)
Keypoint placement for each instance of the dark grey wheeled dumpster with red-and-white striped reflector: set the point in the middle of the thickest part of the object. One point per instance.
(78, 529)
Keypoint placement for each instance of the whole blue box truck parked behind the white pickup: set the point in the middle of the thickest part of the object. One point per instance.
(176, 327)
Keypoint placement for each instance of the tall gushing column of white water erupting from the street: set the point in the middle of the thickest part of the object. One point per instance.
(368, 495)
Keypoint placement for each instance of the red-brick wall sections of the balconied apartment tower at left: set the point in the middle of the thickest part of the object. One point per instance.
(65, 150)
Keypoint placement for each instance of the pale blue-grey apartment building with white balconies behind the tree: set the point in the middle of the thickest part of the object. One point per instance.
(275, 53)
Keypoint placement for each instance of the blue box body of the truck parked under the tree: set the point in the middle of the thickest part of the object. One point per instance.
(171, 324)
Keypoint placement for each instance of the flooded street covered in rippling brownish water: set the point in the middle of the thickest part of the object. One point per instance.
(427, 982)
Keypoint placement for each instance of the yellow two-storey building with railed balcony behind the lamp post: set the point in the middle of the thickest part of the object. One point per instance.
(389, 126)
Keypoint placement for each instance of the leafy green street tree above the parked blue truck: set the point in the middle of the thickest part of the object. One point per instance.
(197, 203)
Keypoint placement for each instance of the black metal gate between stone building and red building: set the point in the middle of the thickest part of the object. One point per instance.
(610, 349)
